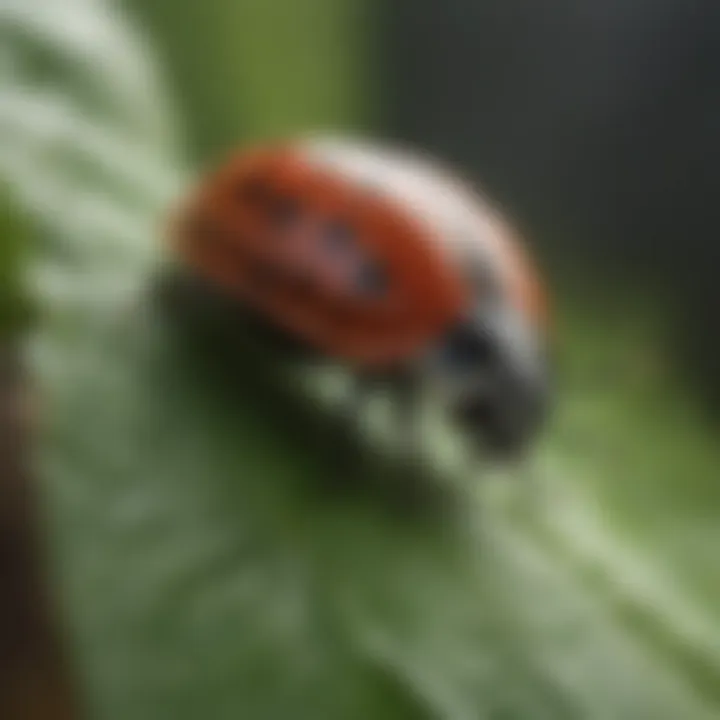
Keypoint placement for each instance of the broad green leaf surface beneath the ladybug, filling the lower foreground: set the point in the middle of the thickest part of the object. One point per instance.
(207, 571)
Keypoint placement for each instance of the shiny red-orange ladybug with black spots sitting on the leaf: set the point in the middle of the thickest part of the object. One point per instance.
(383, 260)
